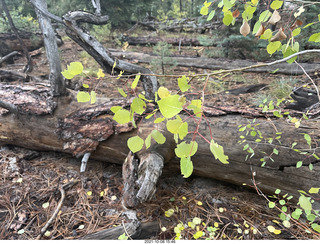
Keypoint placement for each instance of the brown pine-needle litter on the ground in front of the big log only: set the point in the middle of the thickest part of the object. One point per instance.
(94, 205)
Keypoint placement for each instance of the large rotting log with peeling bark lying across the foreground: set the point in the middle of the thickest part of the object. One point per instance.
(63, 125)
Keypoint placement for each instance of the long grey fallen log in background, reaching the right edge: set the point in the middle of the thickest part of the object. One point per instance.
(216, 64)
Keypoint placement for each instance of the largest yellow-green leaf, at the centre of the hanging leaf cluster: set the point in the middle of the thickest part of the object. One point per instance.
(170, 106)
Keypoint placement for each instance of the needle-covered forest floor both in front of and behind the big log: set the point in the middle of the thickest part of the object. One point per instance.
(30, 180)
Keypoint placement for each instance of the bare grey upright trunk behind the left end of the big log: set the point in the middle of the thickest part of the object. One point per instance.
(56, 79)
